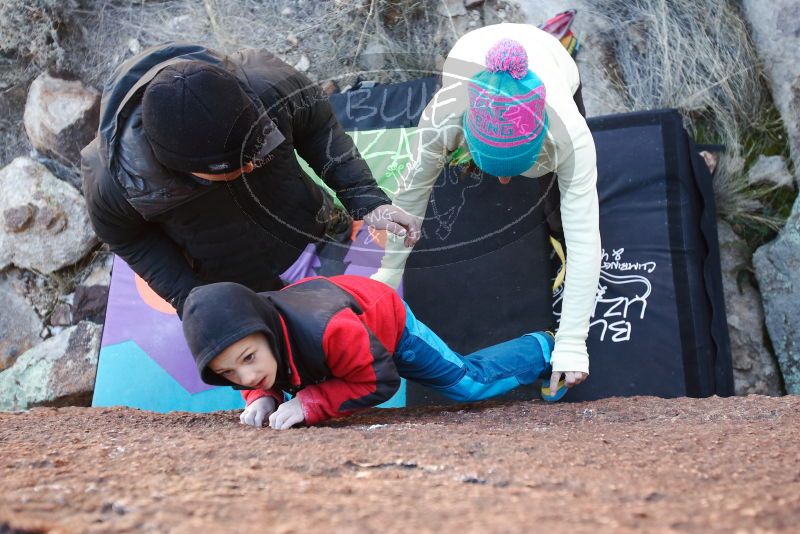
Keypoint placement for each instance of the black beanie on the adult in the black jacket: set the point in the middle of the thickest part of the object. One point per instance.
(198, 119)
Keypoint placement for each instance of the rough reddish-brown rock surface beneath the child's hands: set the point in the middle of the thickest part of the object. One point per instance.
(617, 465)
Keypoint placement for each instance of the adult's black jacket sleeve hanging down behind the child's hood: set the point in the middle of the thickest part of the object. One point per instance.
(143, 245)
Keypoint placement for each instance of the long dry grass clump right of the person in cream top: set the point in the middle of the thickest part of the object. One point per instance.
(698, 57)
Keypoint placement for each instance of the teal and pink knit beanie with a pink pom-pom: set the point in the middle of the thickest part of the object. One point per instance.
(506, 122)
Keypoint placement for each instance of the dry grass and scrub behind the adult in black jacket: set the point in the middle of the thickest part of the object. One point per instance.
(384, 40)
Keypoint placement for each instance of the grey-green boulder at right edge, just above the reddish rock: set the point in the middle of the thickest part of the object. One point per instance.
(777, 266)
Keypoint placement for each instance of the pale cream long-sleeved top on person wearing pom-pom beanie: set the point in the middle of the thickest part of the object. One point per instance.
(568, 151)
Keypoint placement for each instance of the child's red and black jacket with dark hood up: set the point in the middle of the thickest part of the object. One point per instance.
(333, 337)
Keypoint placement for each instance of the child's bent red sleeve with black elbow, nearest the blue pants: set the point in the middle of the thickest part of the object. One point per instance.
(363, 371)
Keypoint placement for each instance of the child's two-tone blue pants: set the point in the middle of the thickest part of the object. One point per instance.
(422, 356)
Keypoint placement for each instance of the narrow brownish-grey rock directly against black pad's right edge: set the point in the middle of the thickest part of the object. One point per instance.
(754, 368)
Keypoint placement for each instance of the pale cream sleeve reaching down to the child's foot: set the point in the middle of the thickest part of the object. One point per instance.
(577, 180)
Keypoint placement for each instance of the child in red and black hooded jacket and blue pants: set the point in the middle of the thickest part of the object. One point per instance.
(338, 345)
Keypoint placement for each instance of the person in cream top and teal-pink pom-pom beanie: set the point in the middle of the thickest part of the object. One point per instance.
(510, 98)
